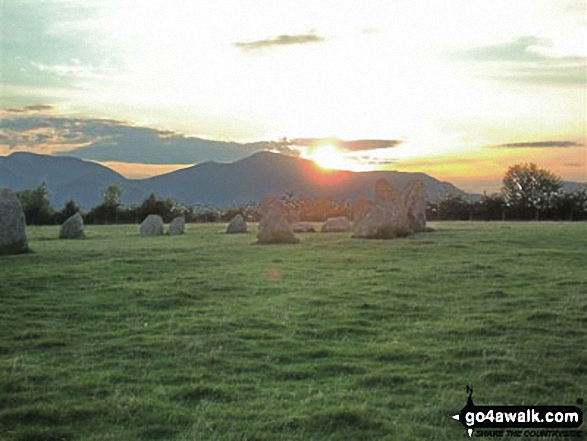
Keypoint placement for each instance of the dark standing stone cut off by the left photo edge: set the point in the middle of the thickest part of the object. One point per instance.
(12, 224)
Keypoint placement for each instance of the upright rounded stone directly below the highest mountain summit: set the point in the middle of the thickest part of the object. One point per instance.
(275, 224)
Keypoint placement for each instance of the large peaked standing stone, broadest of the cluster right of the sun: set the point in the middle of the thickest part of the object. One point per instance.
(387, 218)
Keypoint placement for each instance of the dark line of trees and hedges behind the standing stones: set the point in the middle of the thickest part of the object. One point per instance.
(528, 193)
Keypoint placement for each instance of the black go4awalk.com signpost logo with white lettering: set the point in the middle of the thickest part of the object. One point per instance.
(518, 421)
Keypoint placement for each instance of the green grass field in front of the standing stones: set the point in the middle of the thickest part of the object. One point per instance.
(208, 337)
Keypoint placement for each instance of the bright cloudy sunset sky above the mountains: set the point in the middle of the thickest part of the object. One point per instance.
(458, 89)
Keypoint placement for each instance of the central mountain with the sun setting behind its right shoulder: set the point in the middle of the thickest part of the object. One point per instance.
(265, 173)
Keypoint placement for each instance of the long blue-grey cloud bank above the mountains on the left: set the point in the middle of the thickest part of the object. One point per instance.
(44, 131)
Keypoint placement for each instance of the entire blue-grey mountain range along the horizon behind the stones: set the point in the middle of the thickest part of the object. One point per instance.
(249, 179)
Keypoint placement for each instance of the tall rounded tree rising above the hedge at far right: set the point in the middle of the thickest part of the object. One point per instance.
(528, 189)
